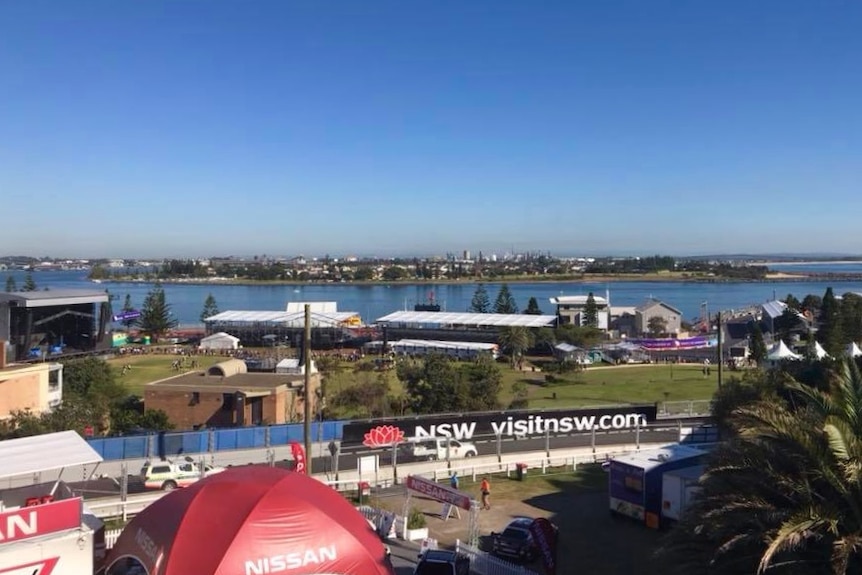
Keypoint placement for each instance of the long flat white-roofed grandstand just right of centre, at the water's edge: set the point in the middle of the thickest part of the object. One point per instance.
(461, 327)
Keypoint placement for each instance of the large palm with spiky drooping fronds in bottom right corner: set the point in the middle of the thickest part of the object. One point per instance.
(785, 495)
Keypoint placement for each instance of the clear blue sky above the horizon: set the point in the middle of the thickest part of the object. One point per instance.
(209, 127)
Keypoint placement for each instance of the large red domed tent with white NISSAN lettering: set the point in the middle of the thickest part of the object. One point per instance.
(252, 520)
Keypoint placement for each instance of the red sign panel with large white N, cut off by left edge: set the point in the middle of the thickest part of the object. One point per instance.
(39, 520)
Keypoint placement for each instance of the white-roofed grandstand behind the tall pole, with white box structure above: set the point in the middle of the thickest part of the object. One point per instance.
(330, 328)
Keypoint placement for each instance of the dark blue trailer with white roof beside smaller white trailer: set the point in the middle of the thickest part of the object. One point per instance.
(635, 480)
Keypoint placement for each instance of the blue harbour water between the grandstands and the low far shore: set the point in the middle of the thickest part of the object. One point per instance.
(375, 301)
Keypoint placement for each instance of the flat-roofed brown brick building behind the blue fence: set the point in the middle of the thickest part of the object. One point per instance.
(226, 395)
